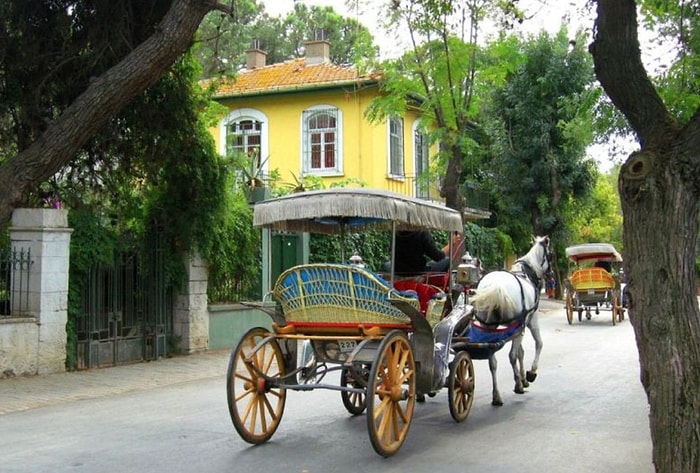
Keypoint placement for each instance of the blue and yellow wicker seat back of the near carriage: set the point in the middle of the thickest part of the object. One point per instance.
(339, 299)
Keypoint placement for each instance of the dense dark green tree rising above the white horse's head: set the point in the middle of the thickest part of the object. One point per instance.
(541, 124)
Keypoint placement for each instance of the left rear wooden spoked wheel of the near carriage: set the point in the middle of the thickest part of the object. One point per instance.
(256, 406)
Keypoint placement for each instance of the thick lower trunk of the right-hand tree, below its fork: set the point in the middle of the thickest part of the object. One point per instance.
(659, 241)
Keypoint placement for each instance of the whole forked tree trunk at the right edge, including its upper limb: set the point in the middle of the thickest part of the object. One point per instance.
(659, 195)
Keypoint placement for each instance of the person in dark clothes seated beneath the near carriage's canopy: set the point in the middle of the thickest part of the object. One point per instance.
(413, 248)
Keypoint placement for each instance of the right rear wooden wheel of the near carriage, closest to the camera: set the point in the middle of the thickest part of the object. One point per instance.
(391, 394)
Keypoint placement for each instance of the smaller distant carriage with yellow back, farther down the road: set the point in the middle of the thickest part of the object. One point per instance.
(594, 285)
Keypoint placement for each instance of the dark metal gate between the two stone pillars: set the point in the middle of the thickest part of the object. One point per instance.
(128, 312)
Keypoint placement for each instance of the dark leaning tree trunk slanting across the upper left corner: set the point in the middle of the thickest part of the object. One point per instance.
(105, 96)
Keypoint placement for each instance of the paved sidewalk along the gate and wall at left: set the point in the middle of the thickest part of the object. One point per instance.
(31, 392)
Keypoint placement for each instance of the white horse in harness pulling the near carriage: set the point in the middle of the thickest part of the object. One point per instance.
(505, 298)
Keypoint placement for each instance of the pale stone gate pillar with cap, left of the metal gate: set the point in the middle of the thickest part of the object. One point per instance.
(46, 234)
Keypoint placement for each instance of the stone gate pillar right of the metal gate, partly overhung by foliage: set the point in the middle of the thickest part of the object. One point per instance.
(191, 318)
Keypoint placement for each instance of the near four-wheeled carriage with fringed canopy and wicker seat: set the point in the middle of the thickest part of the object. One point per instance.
(387, 346)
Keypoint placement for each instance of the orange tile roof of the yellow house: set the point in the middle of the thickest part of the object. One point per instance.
(288, 76)
